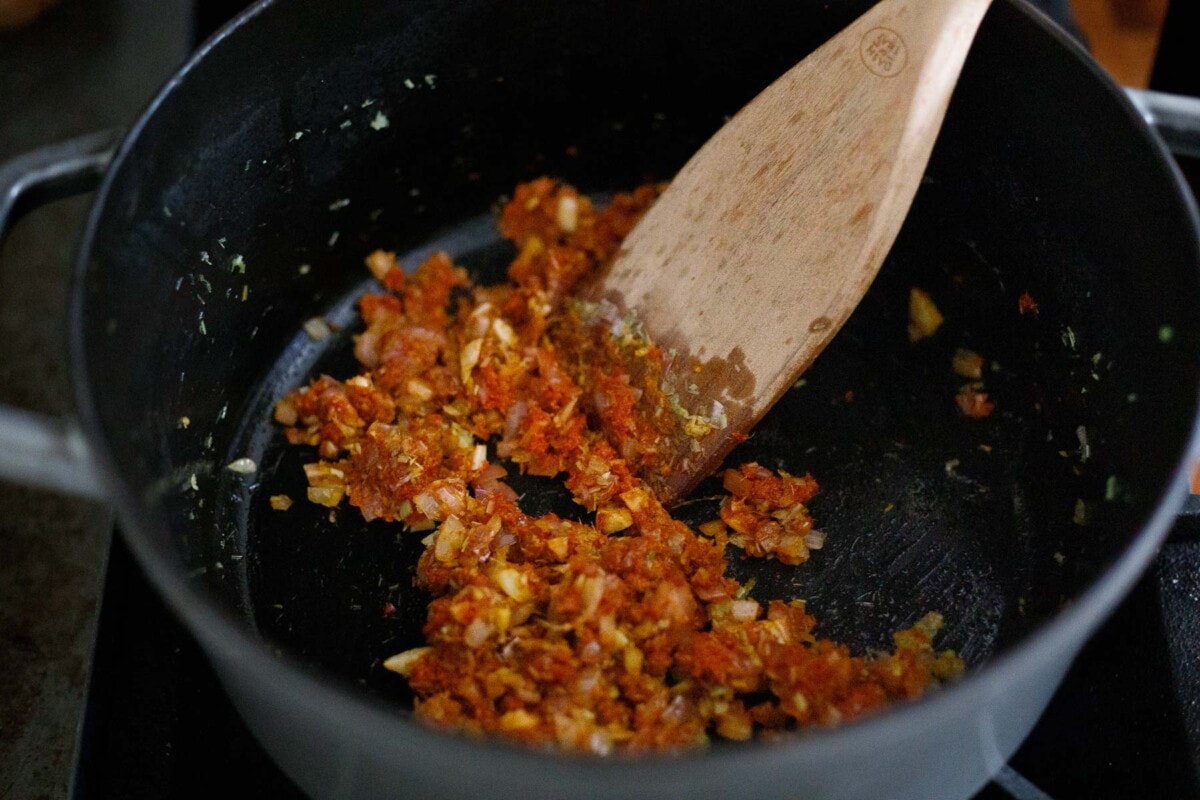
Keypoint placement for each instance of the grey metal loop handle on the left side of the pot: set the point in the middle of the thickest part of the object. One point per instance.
(37, 449)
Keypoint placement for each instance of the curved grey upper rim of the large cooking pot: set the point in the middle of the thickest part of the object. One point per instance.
(224, 635)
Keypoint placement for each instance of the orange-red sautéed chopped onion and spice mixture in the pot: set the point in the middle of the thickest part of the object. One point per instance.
(623, 635)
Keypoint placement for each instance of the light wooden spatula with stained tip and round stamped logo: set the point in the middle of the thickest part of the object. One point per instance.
(766, 242)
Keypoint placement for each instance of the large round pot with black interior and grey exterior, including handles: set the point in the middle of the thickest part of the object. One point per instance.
(223, 226)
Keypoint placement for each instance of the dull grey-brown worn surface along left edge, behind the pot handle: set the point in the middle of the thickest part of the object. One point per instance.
(85, 67)
